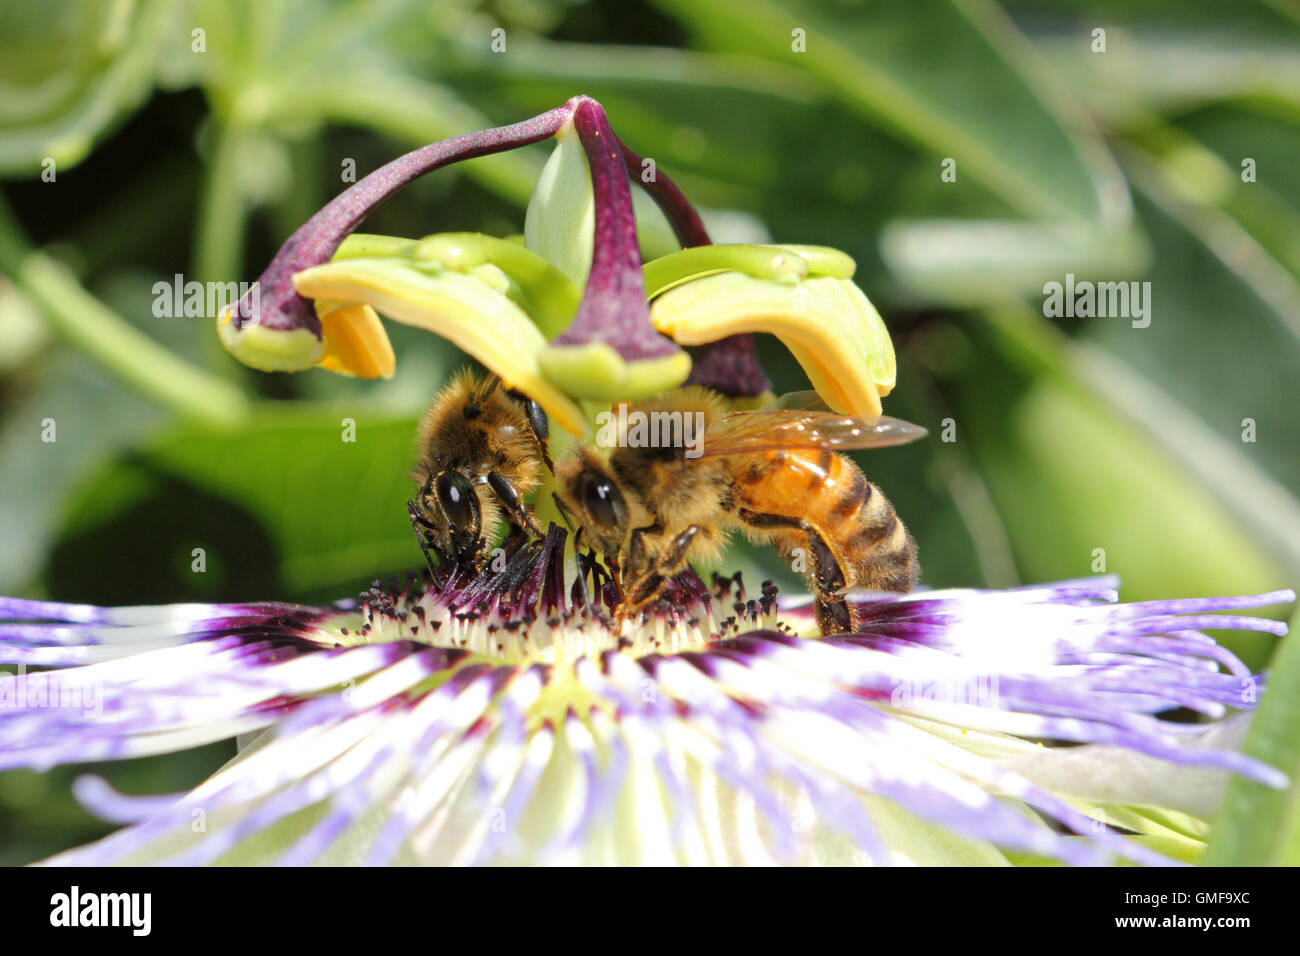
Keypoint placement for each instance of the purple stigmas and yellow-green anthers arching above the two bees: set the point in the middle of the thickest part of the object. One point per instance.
(573, 314)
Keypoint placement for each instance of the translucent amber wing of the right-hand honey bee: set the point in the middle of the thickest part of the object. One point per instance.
(792, 429)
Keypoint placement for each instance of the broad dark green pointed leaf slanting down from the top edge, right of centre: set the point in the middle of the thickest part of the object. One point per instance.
(957, 79)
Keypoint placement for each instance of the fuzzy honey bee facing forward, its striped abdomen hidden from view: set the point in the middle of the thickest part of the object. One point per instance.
(483, 449)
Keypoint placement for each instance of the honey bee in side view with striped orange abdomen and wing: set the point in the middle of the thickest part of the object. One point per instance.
(774, 475)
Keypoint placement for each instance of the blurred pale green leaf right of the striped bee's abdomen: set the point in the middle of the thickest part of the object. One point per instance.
(1071, 475)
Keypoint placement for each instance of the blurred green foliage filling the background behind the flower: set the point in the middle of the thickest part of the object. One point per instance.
(821, 123)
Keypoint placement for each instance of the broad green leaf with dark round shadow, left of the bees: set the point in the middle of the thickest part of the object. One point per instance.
(284, 507)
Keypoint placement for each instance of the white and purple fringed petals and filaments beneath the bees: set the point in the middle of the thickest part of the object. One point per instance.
(501, 719)
